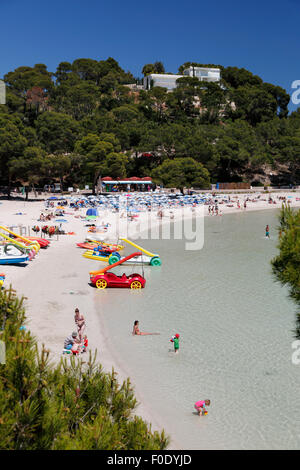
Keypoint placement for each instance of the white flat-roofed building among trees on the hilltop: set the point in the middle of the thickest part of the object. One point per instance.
(169, 81)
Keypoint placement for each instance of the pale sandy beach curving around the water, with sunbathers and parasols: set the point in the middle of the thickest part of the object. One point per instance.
(57, 279)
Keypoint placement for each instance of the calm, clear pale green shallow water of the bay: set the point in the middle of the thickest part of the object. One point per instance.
(236, 329)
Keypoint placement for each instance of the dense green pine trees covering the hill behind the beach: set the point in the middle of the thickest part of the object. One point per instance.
(234, 130)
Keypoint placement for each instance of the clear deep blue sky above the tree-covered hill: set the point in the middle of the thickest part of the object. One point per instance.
(262, 36)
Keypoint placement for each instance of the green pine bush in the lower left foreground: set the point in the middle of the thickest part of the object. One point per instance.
(72, 405)
